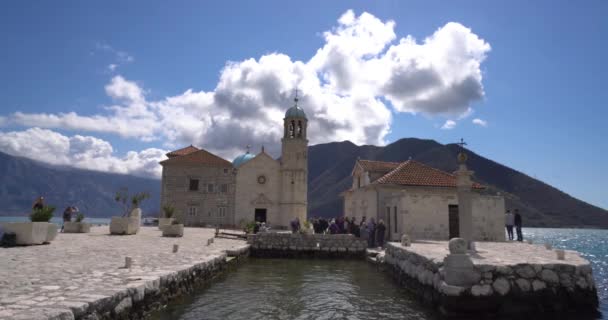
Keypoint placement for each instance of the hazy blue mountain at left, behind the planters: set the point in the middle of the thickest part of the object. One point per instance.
(23, 180)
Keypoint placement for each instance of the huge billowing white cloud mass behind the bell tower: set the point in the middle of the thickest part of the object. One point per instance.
(345, 87)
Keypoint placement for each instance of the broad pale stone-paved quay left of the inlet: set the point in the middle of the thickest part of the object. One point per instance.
(84, 275)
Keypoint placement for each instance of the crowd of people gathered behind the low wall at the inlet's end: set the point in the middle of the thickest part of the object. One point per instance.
(371, 231)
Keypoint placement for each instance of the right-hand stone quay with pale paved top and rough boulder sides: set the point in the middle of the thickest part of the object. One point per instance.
(497, 279)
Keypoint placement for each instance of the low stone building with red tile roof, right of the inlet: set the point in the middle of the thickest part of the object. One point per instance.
(422, 202)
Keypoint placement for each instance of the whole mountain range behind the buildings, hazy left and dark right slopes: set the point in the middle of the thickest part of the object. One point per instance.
(329, 169)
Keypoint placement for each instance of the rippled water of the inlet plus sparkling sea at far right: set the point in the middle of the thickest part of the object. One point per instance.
(327, 289)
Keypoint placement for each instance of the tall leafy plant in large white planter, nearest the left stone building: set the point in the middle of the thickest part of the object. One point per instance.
(130, 220)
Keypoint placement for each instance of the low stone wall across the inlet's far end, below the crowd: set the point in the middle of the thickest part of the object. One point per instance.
(306, 245)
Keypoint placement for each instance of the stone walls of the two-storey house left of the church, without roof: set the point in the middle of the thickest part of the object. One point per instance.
(210, 203)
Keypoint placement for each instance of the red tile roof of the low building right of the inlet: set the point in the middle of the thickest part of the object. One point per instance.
(413, 173)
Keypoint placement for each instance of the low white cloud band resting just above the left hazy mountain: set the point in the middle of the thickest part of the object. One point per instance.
(84, 152)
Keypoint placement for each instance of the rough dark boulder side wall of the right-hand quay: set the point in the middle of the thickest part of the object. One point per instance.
(496, 290)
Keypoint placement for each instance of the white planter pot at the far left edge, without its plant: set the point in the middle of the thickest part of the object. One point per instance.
(29, 233)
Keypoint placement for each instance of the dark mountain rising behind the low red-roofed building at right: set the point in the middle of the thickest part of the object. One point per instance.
(330, 166)
